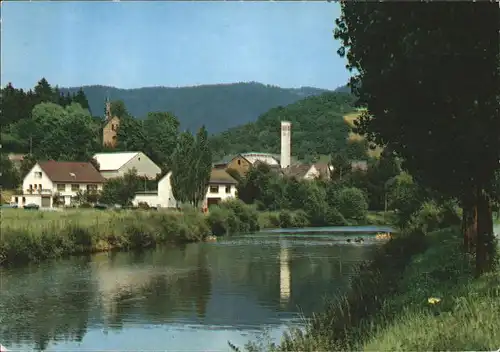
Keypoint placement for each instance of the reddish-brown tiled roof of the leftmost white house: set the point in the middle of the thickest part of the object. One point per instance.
(62, 171)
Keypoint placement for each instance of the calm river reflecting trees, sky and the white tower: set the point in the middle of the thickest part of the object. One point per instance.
(192, 298)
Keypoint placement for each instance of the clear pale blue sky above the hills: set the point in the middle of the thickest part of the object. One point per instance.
(174, 44)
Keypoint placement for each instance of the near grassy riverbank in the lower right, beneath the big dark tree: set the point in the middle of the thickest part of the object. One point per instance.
(419, 294)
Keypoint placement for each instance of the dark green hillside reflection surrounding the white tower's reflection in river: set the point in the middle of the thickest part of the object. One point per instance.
(316, 270)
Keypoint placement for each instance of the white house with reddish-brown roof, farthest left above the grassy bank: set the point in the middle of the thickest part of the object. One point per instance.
(49, 179)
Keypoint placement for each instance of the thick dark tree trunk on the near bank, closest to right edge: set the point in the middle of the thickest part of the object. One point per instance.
(485, 240)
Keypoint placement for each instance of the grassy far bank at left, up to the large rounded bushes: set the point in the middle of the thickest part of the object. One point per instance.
(28, 236)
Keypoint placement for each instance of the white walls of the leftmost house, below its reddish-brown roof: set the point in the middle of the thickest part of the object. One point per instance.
(37, 184)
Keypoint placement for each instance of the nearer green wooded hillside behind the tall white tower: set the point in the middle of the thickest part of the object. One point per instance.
(318, 128)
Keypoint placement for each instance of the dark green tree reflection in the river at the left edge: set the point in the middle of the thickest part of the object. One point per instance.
(45, 303)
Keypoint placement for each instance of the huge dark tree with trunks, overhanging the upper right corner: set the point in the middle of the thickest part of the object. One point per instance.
(411, 61)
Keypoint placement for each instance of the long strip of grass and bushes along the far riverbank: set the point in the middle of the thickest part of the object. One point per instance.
(29, 236)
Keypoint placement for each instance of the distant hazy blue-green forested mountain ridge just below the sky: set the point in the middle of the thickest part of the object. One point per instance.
(218, 107)
